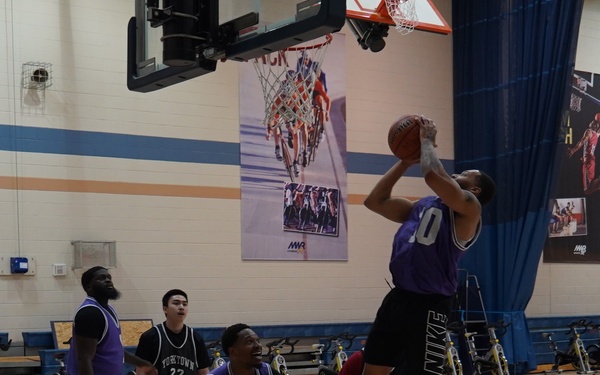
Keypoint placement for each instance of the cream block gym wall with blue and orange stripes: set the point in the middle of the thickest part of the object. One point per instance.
(68, 172)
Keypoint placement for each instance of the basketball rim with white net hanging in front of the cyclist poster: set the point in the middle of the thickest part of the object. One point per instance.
(287, 89)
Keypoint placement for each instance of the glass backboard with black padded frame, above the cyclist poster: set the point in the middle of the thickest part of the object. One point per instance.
(206, 31)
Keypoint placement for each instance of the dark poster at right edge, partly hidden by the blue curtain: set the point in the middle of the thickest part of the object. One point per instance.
(573, 236)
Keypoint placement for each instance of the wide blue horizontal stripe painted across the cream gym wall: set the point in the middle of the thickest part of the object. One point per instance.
(128, 146)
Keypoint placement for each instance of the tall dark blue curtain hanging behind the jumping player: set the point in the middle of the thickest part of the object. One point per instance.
(512, 63)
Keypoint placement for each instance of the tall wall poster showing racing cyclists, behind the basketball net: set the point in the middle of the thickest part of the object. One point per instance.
(293, 154)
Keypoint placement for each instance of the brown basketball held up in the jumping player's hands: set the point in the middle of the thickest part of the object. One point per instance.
(404, 137)
